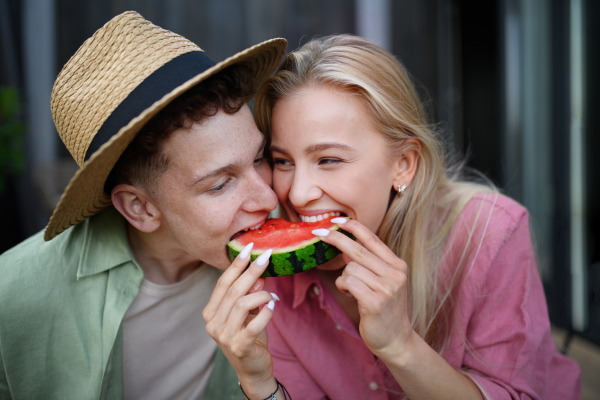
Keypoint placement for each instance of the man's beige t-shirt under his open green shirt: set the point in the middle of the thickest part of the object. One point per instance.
(167, 353)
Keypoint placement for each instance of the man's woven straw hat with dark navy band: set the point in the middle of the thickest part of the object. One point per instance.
(119, 79)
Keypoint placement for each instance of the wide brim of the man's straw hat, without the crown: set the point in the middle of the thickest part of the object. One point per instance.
(84, 195)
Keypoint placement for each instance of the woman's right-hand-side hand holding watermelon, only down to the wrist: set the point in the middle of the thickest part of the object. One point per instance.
(377, 279)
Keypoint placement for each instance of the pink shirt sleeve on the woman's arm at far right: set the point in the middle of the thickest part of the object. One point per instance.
(509, 345)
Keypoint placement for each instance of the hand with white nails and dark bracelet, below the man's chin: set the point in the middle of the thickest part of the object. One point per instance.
(234, 321)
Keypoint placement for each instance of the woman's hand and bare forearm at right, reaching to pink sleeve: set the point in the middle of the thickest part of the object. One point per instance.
(376, 277)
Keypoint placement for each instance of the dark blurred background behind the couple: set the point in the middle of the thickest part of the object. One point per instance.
(513, 83)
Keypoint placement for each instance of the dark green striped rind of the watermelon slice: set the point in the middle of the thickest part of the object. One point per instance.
(295, 259)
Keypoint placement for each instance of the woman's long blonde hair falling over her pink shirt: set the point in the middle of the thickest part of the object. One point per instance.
(416, 224)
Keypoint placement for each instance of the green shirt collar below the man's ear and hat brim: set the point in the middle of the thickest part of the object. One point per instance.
(105, 244)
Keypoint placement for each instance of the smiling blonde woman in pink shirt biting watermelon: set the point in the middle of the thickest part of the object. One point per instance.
(445, 301)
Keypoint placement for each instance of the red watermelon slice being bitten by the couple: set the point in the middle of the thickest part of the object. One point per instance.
(295, 248)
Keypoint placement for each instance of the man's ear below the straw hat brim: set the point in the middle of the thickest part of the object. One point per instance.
(136, 206)
